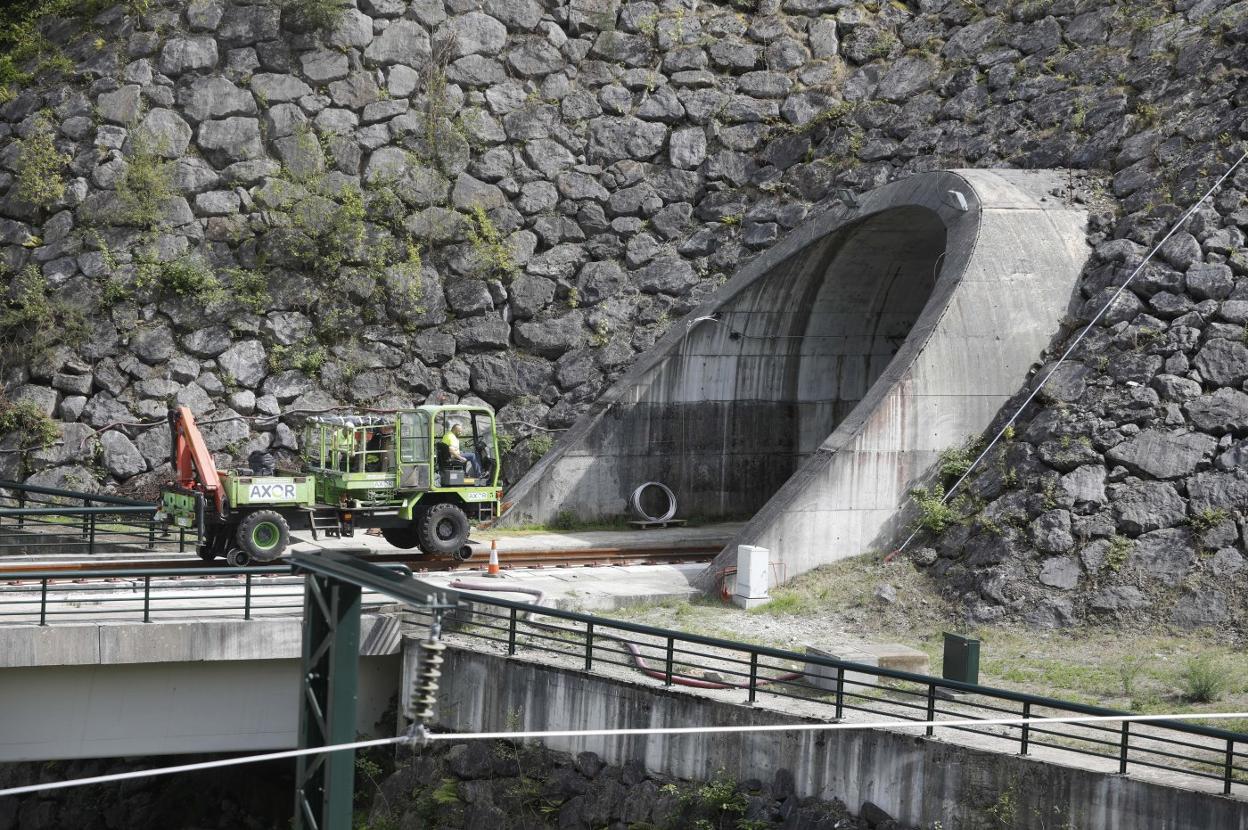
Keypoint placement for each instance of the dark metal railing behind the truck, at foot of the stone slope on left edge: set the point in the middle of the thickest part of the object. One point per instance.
(48, 520)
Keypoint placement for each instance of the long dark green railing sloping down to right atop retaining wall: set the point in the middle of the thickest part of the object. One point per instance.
(838, 688)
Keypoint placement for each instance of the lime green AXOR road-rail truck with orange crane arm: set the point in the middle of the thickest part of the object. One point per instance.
(421, 476)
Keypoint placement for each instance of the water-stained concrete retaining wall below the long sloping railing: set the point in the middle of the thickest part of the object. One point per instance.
(918, 781)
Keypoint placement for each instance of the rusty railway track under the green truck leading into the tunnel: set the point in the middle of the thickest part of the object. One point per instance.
(570, 559)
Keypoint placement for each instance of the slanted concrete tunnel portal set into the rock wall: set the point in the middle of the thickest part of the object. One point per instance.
(822, 383)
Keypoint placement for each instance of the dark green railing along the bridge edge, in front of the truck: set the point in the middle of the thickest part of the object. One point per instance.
(47, 597)
